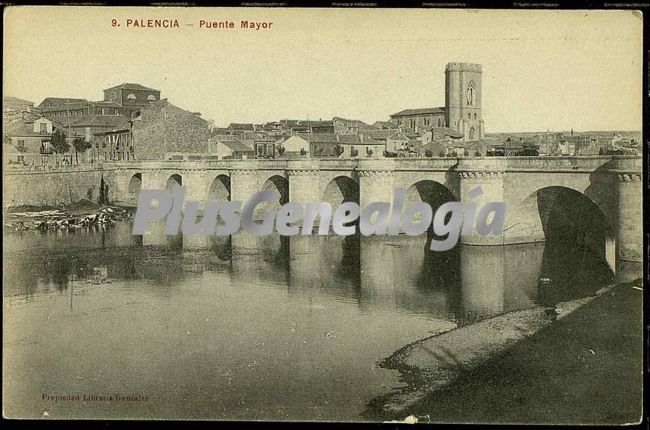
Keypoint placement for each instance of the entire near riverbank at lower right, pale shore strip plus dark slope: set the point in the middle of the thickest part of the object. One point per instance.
(577, 363)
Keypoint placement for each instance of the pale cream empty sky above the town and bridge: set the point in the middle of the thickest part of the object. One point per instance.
(555, 70)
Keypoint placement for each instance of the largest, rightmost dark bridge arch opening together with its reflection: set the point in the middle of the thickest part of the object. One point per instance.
(578, 237)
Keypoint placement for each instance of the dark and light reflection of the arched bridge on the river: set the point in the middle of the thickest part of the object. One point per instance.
(398, 274)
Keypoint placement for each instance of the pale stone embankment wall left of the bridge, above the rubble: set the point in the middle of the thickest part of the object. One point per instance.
(51, 187)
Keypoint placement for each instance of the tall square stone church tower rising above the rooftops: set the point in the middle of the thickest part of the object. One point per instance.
(463, 100)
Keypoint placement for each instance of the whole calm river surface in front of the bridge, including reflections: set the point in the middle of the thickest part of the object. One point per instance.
(244, 327)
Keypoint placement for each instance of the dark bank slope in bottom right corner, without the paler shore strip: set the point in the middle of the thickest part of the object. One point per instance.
(585, 368)
